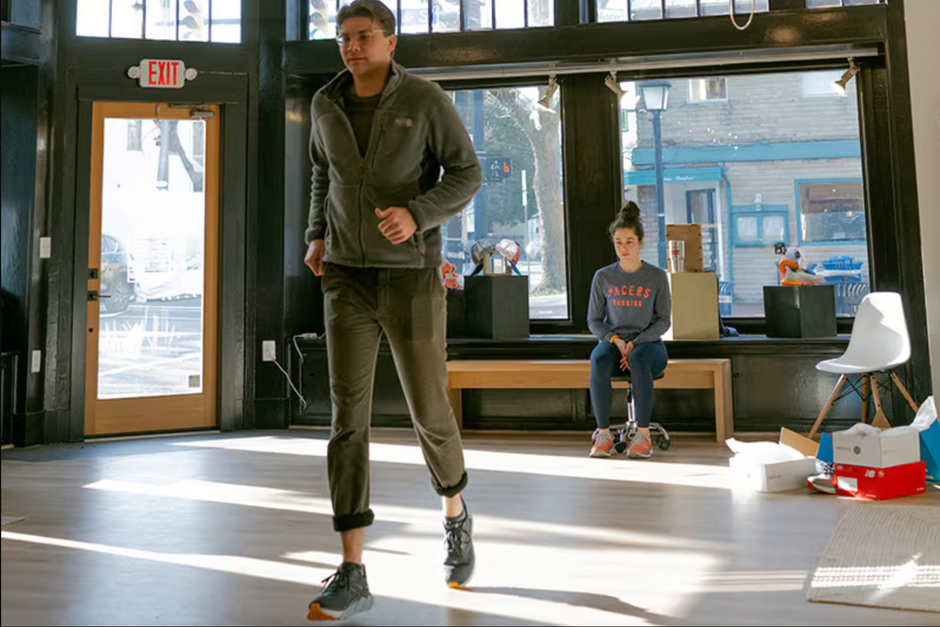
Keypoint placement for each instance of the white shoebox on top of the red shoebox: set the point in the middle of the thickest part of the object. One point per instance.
(894, 447)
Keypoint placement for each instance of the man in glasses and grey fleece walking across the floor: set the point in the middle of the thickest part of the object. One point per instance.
(379, 140)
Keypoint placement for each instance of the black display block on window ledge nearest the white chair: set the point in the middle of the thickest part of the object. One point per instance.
(800, 311)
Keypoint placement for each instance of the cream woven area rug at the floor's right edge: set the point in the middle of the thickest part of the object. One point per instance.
(882, 556)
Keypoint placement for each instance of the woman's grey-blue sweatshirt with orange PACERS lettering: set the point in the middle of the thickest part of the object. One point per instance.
(636, 306)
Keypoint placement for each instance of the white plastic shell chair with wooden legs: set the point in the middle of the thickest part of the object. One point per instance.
(879, 343)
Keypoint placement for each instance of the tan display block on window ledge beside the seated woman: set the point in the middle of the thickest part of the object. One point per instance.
(694, 306)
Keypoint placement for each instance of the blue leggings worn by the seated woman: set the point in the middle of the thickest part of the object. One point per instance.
(646, 361)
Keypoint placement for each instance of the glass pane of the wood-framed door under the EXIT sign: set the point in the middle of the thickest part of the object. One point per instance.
(153, 239)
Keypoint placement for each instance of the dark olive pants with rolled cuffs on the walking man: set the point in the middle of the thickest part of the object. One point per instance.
(409, 306)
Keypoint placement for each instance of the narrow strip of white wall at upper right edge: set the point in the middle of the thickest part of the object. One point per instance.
(923, 38)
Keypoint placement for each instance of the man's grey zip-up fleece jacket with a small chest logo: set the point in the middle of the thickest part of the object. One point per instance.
(416, 135)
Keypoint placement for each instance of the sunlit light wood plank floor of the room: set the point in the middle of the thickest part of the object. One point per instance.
(235, 530)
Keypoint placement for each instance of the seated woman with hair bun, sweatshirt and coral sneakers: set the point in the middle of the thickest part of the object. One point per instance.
(629, 312)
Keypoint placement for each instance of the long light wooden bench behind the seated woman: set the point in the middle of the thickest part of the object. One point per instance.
(698, 374)
